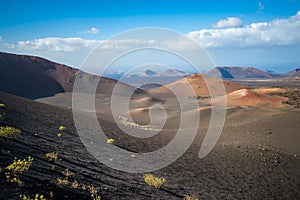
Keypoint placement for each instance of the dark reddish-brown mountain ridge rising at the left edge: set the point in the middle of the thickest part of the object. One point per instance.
(34, 77)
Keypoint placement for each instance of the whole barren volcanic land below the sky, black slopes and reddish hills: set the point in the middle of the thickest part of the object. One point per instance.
(256, 156)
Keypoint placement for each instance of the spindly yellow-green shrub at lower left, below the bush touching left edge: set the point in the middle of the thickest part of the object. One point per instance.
(17, 168)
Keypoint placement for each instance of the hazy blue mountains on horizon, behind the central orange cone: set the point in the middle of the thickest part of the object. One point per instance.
(152, 73)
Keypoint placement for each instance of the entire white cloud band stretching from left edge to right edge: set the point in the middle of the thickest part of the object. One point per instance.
(276, 32)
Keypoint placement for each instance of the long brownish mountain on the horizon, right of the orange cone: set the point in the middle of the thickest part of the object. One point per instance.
(239, 73)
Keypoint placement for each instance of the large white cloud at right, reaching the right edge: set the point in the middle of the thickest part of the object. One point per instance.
(276, 32)
